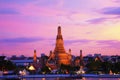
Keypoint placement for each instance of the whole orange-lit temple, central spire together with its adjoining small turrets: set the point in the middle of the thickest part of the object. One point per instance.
(59, 55)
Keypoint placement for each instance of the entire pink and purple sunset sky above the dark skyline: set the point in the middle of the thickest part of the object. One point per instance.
(89, 25)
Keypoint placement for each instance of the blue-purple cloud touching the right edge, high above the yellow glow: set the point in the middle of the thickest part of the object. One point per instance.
(111, 11)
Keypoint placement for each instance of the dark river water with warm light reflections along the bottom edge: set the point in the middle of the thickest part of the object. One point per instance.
(72, 79)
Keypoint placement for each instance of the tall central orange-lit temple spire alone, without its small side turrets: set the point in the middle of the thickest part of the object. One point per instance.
(59, 51)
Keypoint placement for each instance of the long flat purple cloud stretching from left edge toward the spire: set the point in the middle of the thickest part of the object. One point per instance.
(20, 40)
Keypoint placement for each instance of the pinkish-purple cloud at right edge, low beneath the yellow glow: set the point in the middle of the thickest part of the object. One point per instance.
(109, 43)
